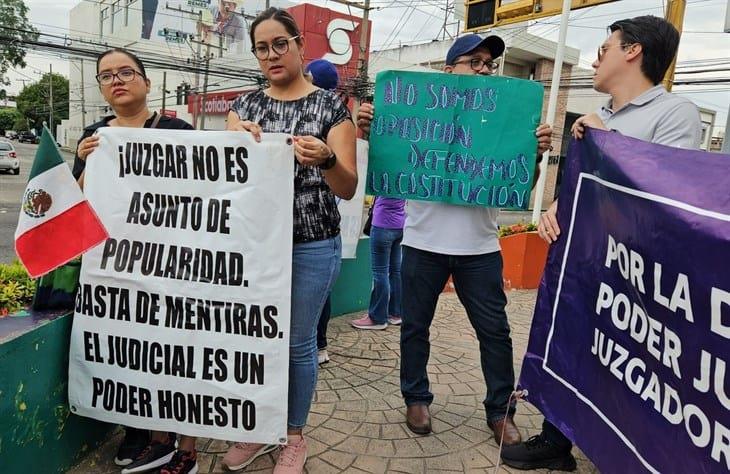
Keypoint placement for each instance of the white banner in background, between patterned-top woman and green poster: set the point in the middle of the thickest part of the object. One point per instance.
(351, 211)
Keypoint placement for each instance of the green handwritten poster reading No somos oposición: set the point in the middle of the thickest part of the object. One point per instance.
(459, 139)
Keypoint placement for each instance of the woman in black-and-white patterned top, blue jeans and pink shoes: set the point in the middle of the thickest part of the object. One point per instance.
(324, 161)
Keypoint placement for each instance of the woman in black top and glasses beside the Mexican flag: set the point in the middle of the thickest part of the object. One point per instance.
(124, 84)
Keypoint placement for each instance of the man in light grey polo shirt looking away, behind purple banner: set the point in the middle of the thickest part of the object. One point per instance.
(630, 66)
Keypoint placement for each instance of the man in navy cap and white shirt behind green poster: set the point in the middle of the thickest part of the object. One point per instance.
(440, 240)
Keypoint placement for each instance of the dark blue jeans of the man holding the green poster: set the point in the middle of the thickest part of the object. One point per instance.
(478, 284)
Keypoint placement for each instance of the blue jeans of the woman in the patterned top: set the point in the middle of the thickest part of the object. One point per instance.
(315, 266)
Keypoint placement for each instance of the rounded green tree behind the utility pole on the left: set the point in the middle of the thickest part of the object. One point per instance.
(33, 100)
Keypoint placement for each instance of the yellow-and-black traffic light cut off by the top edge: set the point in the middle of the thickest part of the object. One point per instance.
(483, 14)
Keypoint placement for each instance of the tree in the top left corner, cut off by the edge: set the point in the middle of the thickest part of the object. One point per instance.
(15, 29)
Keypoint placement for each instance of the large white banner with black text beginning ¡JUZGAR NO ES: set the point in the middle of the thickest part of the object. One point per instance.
(182, 316)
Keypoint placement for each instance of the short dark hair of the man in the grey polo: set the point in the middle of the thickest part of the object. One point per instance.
(659, 41)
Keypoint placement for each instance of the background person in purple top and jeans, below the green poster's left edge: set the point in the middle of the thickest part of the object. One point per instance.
(386, 235)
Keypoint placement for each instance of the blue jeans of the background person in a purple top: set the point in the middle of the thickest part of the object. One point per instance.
(385, 259)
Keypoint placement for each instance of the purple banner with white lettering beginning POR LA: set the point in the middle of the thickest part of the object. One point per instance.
(630, 338)
